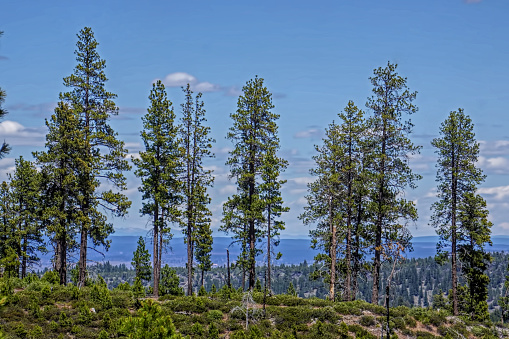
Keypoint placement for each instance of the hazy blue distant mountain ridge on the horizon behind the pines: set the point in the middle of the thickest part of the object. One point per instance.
(295, 251)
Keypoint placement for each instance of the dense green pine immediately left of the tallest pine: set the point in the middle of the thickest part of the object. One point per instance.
(59, 184)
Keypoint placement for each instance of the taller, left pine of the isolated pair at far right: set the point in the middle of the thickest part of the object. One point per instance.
(457, 178)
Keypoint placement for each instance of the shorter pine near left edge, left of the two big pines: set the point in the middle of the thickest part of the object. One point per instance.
(25, 204)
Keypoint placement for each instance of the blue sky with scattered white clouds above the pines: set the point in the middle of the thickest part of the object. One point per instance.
(313, 57)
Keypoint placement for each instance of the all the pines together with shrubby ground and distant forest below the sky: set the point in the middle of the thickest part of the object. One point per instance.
(62, 202)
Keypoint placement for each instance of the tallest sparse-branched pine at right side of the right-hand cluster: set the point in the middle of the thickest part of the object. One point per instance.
(390, 170)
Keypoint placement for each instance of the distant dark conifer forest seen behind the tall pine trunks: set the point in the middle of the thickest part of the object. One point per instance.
(420, 282)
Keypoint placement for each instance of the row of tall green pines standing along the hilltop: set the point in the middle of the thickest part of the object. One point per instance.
(357, 201)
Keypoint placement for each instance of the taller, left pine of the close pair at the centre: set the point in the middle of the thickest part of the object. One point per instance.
(254, 135)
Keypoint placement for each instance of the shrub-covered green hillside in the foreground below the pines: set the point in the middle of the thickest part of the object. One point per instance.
(37, 308)
